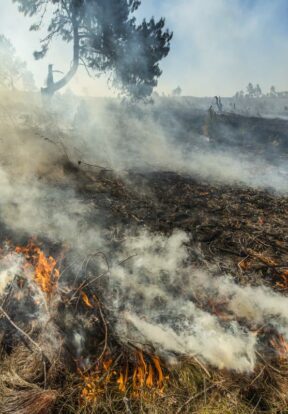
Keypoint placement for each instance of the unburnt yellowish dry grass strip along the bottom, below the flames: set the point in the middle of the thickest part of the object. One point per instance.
(26, 388)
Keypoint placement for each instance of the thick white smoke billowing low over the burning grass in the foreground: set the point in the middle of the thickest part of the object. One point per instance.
(163, 304)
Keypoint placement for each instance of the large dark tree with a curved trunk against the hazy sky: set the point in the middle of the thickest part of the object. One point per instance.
(106, 39)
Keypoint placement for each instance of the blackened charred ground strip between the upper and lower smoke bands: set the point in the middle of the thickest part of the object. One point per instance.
(236, 227)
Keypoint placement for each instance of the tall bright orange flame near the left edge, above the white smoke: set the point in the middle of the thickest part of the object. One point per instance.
(45, 271)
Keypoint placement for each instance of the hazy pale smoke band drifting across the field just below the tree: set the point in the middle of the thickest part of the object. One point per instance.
(168, 135)
